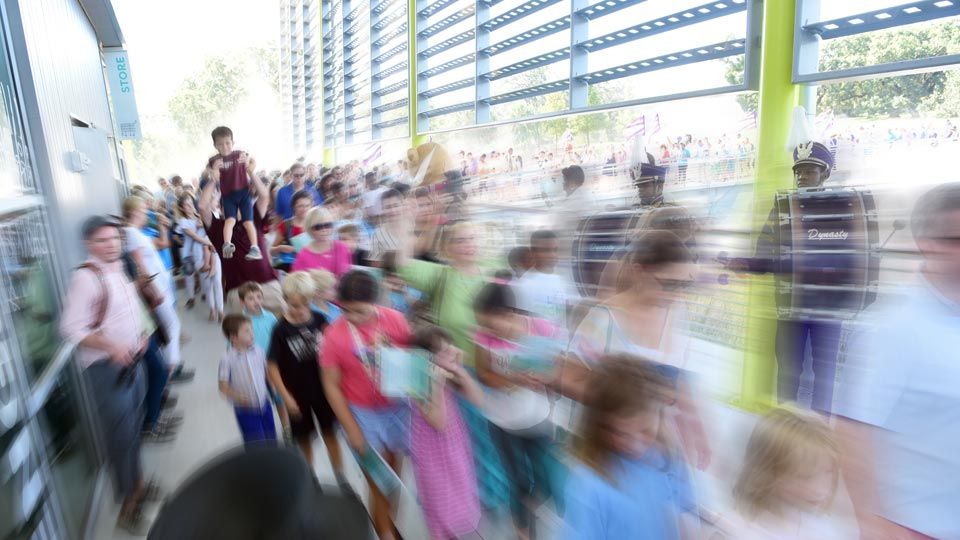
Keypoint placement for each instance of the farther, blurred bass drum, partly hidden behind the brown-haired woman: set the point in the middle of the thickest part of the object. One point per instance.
(597, 239)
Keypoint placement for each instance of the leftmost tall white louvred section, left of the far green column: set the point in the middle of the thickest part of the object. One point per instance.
(300, 82)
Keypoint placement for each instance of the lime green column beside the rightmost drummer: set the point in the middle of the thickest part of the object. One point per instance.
(778, 97)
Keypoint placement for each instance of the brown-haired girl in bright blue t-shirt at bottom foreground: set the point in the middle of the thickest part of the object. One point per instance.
(628, 484)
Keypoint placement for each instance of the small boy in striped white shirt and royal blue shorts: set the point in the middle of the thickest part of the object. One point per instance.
(243, 380)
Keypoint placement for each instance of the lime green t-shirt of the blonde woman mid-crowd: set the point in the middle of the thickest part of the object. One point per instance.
(456, 305)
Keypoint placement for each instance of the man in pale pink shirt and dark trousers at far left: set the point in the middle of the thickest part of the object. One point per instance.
(104, 318)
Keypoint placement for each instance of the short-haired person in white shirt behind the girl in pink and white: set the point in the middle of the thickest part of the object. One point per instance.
(541, 290)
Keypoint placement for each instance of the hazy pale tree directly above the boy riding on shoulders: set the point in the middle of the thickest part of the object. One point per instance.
(207, 96)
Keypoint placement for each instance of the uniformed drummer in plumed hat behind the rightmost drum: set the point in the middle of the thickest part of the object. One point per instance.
(812, 163)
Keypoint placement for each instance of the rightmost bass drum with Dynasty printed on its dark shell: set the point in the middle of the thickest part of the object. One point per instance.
(827, 250)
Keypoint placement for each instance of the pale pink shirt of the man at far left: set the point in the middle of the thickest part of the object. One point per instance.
(122, 322)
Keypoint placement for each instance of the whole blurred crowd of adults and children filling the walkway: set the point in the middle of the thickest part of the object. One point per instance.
(357, 305)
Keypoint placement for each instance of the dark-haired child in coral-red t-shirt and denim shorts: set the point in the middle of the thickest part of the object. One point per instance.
(353, 345)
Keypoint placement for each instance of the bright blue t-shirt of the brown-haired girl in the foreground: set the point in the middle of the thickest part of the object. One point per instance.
(644, 502)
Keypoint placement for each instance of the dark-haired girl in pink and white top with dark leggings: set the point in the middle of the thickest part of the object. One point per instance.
(516, 405)
